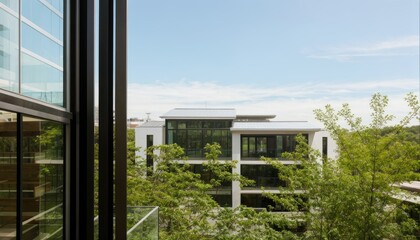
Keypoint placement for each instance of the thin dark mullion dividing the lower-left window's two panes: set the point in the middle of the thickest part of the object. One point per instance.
(19, 163)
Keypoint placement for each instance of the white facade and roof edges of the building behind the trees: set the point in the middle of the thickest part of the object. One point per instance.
(242, 126)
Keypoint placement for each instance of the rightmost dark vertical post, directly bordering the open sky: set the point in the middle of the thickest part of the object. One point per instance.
(121, 120)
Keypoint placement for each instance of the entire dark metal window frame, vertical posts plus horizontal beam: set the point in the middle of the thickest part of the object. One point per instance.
(78, 117)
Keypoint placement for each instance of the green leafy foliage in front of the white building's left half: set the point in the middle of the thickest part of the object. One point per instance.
(186, 209)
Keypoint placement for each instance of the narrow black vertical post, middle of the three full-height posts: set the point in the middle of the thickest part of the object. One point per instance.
(106, 13)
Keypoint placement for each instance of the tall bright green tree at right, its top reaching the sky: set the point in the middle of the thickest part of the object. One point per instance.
(354, 197)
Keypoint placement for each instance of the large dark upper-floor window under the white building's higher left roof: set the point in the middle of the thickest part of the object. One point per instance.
(193, 135)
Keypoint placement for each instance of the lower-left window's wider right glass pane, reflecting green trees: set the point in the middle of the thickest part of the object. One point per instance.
(43, 178)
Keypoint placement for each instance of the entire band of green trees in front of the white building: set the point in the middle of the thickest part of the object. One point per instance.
(353, 197)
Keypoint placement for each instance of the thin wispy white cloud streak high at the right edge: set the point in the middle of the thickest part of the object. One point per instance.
(403, 46)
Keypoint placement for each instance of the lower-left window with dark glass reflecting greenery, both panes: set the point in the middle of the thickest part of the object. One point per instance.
(42, 182)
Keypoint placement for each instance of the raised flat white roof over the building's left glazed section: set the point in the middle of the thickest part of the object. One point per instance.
(200, 113)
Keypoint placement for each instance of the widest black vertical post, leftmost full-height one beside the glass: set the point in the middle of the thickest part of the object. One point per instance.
(81, 80)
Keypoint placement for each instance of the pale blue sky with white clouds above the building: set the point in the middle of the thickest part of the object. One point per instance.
(283, 57)
